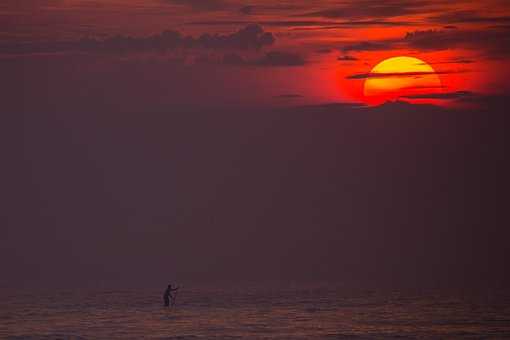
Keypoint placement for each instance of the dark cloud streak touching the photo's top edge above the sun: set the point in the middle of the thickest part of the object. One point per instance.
(371, 9)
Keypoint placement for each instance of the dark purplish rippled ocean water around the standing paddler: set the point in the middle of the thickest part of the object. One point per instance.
(254, 313)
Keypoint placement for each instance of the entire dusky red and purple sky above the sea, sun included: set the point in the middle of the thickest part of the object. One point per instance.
(210, 140)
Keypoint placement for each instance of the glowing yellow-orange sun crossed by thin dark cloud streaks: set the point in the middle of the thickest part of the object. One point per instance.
(400, 77)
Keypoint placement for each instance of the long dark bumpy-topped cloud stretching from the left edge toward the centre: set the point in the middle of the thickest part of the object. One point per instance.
(250, 37)
